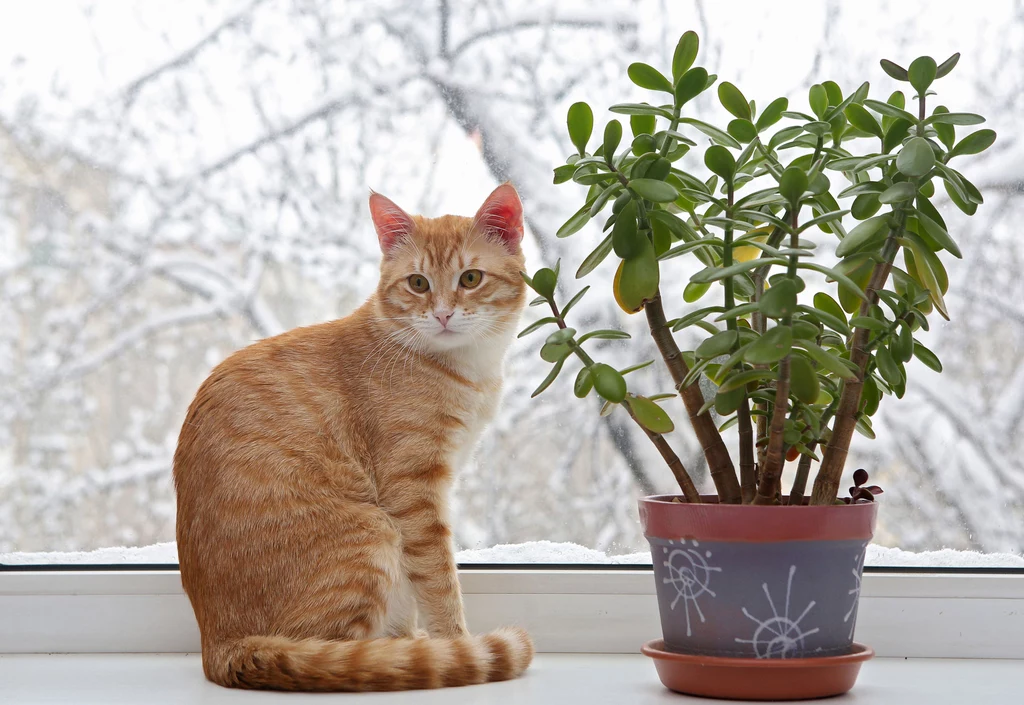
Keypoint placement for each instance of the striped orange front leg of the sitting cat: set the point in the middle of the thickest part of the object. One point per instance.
(430, 562)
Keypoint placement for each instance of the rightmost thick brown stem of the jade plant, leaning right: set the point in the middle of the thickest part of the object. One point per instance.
(831, 473)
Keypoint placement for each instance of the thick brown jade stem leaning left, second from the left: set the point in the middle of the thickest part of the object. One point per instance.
(723, 473)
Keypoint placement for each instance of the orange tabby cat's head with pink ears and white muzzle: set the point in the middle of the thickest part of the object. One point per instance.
(451, 282)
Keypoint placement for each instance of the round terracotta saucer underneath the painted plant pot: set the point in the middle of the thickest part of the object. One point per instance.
(736, 679)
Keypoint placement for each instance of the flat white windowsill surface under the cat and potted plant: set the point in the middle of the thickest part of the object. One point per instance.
(554, 679)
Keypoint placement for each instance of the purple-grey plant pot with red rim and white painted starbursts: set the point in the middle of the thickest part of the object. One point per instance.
(757, 582)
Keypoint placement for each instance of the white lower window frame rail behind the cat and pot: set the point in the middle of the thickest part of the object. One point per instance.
(581, 609)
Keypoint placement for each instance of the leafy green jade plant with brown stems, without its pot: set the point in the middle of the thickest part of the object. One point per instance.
(818, 237)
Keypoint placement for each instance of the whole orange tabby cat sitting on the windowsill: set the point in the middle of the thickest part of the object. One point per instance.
(313, 469)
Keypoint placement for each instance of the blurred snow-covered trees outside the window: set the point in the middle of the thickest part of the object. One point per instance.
(181, 180)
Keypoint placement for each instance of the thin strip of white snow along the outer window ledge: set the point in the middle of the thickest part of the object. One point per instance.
(520, 554)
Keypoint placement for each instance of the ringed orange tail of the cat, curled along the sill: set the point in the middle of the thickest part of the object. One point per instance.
(385, 665)
